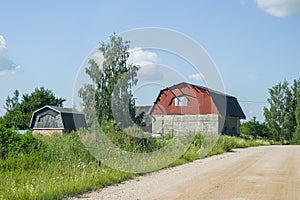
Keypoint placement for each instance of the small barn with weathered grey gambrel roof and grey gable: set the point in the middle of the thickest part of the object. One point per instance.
(52, 119)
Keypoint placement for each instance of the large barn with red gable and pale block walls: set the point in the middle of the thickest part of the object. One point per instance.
(187, 108)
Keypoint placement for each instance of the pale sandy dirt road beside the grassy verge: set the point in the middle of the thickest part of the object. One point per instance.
(271, 172)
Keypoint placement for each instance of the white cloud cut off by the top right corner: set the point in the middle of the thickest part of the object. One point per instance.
(280, 8)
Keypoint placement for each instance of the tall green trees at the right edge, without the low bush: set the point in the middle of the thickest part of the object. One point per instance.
(280, 117)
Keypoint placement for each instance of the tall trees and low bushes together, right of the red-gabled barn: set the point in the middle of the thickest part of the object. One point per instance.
(282, 116)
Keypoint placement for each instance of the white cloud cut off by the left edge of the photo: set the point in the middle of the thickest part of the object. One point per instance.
(7, 66)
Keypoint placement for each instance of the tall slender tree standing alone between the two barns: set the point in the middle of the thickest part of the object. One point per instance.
(111, 84)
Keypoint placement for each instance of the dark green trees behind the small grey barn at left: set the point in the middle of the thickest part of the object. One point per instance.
(19, 111)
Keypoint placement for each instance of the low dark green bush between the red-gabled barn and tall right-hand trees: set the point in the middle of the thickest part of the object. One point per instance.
(254, 129)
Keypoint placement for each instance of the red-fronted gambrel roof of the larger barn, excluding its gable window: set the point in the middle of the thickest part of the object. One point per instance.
(209, 101)
